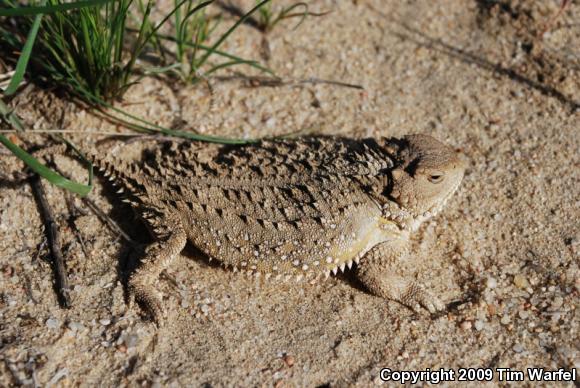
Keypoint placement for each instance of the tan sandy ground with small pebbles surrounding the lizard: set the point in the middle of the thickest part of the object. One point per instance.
(503, 254)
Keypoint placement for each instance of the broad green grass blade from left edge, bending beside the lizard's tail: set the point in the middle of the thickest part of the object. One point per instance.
(46, 172)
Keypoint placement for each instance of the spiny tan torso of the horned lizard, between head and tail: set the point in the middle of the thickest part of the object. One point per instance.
(298, 208)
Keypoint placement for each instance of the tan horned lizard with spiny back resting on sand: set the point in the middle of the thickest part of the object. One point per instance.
(290, 209)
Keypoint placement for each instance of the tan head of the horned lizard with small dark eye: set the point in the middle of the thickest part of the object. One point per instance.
(426, 173)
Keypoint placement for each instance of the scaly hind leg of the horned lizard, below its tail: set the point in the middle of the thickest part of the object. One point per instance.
(158, 257)
